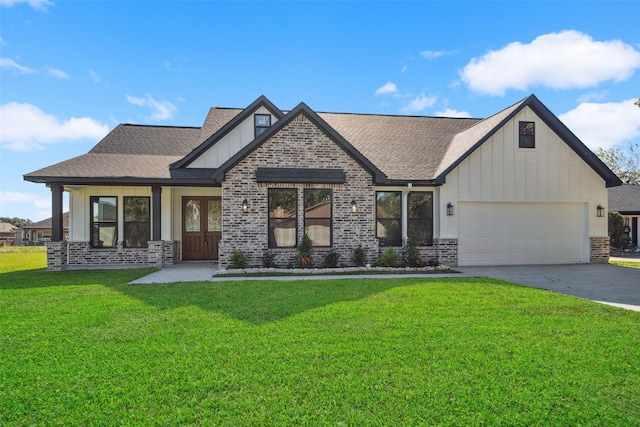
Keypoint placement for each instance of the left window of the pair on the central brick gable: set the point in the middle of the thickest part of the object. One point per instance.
(283, 216)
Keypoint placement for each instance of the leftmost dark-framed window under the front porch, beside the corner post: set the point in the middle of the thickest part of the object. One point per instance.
(104, 221)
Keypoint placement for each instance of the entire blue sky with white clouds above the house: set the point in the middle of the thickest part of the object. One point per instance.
(70, 71)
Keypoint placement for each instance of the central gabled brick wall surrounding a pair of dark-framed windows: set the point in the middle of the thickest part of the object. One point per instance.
(299, 144)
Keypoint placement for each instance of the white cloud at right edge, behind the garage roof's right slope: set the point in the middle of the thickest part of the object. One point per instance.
(604, 125)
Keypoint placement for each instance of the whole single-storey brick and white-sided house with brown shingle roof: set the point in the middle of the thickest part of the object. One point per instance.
(515, 188)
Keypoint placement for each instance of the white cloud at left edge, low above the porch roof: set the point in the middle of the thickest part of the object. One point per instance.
(24, 127)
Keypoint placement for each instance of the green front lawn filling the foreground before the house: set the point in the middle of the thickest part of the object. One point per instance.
(84, 348)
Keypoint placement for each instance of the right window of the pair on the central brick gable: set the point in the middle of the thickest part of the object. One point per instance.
(317, 215)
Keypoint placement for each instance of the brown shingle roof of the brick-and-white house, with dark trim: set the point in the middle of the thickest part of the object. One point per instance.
(404, 148)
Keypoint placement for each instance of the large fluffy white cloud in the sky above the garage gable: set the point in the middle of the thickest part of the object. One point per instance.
(568, 59)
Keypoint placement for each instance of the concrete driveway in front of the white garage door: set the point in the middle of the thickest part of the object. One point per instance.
(606, 283)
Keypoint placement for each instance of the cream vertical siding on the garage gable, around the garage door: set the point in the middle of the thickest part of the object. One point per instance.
(500, 171)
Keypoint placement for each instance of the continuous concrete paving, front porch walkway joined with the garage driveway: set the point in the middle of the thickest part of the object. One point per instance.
(605, 283)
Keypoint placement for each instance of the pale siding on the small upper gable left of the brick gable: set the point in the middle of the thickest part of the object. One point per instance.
(231, 143)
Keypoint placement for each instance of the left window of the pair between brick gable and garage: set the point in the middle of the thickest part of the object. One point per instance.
(389, 218)
